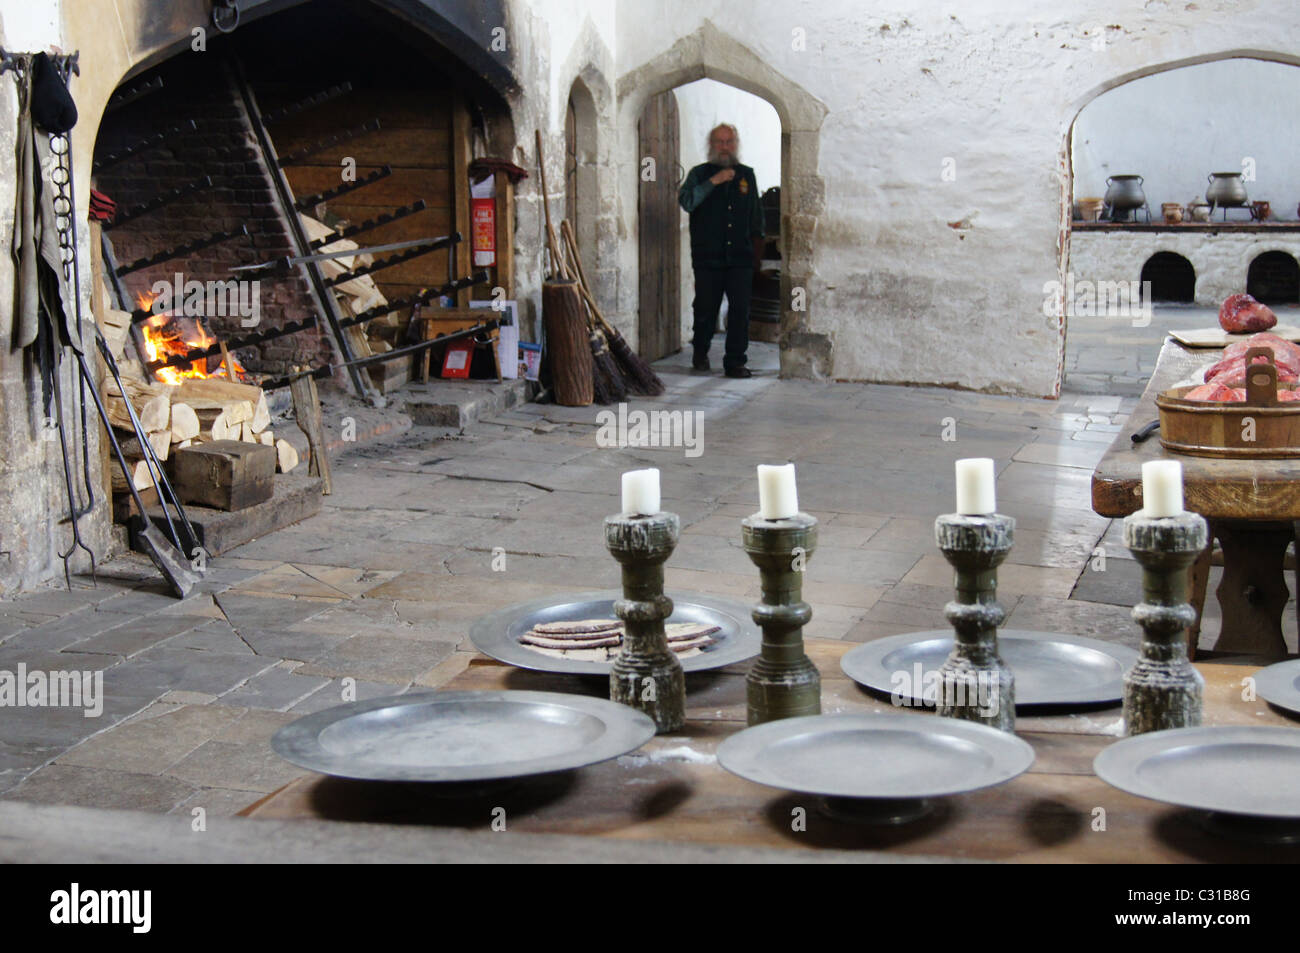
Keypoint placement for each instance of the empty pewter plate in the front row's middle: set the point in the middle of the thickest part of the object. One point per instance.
(891, 755)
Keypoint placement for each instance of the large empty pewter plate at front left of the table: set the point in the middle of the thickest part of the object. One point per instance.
(462, 737)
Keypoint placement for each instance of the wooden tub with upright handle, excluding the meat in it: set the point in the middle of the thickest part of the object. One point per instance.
(1259, 428)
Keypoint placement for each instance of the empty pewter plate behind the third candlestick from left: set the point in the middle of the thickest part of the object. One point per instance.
(1050, 668)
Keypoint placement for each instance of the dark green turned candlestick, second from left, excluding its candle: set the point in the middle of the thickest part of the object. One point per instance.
(783, 683)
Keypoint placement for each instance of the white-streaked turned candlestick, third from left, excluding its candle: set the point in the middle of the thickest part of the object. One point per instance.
(974, 683)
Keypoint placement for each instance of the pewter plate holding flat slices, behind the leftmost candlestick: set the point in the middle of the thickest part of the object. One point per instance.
(497, 635)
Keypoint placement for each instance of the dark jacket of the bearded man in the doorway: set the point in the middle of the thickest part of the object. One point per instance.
(725, 220)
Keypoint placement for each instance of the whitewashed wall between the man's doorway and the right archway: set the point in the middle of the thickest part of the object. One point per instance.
(902, 254)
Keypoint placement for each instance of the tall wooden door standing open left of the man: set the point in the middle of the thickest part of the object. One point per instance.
(660, 307)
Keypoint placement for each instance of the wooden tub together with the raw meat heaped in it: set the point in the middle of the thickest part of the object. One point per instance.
(1249, 408)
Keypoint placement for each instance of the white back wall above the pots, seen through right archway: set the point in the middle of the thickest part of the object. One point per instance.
(1176, 128)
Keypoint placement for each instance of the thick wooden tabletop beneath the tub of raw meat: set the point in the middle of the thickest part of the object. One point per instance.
(1216, 488)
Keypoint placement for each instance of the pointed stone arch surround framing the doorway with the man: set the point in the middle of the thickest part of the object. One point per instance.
(714, 55)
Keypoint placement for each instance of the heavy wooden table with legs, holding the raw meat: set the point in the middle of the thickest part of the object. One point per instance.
(1251, 508)
